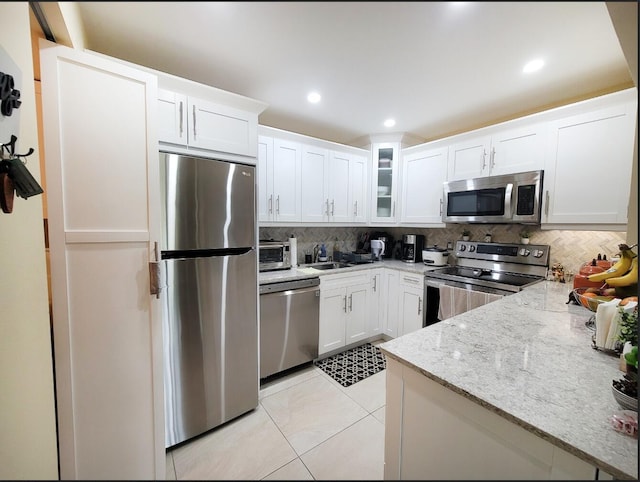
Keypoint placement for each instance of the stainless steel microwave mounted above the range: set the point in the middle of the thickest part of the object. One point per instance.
(510, 198)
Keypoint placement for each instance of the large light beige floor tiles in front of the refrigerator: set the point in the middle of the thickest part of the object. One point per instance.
(306, 427)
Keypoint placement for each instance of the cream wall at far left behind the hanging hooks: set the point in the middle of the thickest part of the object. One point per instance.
(27, 412)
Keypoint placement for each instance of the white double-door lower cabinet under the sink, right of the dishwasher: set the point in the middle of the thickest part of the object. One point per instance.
(344, 309)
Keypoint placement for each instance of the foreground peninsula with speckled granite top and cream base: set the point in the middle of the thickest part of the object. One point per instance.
(512, 389)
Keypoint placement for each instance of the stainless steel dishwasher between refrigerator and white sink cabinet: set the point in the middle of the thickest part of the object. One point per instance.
(289, 324)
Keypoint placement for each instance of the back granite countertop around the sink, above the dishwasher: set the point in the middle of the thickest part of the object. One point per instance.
(307, 271)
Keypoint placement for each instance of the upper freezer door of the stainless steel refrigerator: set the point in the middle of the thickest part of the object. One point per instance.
(206, 204)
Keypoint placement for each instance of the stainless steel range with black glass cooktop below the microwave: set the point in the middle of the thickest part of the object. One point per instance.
(496, 268)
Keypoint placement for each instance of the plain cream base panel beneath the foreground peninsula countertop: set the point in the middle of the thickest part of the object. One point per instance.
(429, 430)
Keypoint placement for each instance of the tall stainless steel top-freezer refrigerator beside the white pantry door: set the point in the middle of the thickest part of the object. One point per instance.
(210, 315)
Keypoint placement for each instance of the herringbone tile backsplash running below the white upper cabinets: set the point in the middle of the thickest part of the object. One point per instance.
(571, 248)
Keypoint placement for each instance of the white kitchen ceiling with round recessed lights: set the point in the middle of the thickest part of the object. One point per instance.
(438, 68)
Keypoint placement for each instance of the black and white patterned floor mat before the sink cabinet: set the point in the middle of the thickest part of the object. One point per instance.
(353, 365)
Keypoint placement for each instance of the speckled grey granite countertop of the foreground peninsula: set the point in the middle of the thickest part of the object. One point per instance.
(528, 357)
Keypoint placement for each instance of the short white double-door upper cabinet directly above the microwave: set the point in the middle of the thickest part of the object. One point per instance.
(498, 150)
